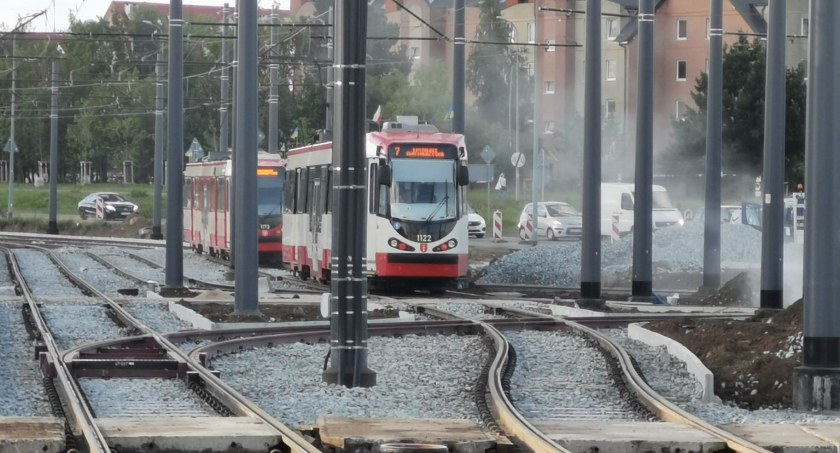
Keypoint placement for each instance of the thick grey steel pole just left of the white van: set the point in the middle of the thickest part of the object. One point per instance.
(590, 263)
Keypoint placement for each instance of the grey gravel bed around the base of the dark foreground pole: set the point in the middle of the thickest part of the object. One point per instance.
(416, 377)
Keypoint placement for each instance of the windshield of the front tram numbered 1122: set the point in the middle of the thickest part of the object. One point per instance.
(423, 189)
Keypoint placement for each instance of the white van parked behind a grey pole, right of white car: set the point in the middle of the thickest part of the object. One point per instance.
(617, 203)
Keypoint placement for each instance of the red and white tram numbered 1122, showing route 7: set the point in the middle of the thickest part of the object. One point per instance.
(416, 208)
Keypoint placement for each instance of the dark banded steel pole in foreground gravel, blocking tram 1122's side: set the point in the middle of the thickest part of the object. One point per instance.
(348, 287)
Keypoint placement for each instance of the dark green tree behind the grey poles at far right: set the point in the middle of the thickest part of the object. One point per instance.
(743, 117)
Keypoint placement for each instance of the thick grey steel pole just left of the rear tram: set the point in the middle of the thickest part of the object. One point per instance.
(175, 169)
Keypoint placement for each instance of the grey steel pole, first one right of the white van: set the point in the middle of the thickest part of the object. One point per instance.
(714, 141)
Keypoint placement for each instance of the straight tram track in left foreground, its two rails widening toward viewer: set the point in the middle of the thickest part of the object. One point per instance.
(148, 355)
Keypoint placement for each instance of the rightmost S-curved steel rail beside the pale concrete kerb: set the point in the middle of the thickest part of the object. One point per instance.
(656, 403)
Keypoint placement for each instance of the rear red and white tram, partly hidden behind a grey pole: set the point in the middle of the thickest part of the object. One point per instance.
(208, 199)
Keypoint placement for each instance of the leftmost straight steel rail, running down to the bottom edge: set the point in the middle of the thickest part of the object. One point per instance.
(83, 418)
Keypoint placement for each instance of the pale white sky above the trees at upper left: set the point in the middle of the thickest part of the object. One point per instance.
(58, 11)
